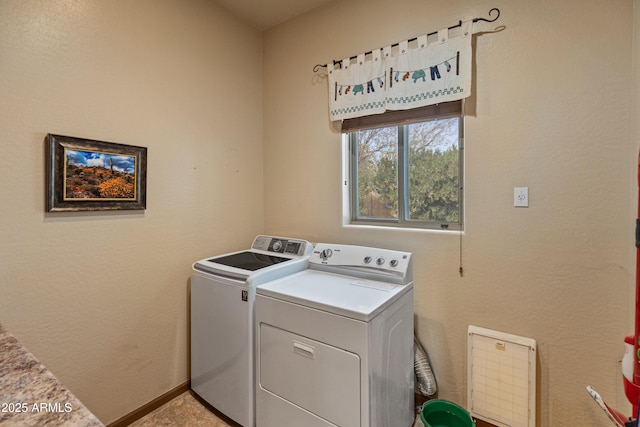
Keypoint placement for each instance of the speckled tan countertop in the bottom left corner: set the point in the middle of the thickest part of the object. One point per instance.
(30, 395)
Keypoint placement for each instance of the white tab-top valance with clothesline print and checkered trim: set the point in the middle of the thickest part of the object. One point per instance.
(406, 77)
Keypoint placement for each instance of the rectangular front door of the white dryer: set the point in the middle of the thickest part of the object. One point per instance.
(319, 378)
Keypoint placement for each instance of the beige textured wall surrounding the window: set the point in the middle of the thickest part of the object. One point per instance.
(550, 111)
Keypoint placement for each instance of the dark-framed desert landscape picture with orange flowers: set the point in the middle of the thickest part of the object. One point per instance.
(89, 175)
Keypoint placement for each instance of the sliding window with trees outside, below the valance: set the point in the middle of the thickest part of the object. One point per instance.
(406, 167)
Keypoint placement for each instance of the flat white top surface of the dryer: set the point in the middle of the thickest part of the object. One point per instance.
(353, 297)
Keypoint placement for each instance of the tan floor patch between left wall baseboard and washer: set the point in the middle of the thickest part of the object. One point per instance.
(183, 411)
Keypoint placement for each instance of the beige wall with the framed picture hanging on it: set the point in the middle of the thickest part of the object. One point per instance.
(102, 298)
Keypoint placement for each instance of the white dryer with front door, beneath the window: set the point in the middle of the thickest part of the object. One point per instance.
(335, 341)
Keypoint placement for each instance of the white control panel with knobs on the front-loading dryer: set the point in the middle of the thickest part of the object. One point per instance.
(337, 255)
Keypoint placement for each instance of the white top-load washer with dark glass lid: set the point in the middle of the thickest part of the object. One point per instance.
(222, 320)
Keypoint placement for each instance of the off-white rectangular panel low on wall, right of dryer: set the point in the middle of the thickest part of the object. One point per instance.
(501, 378)
